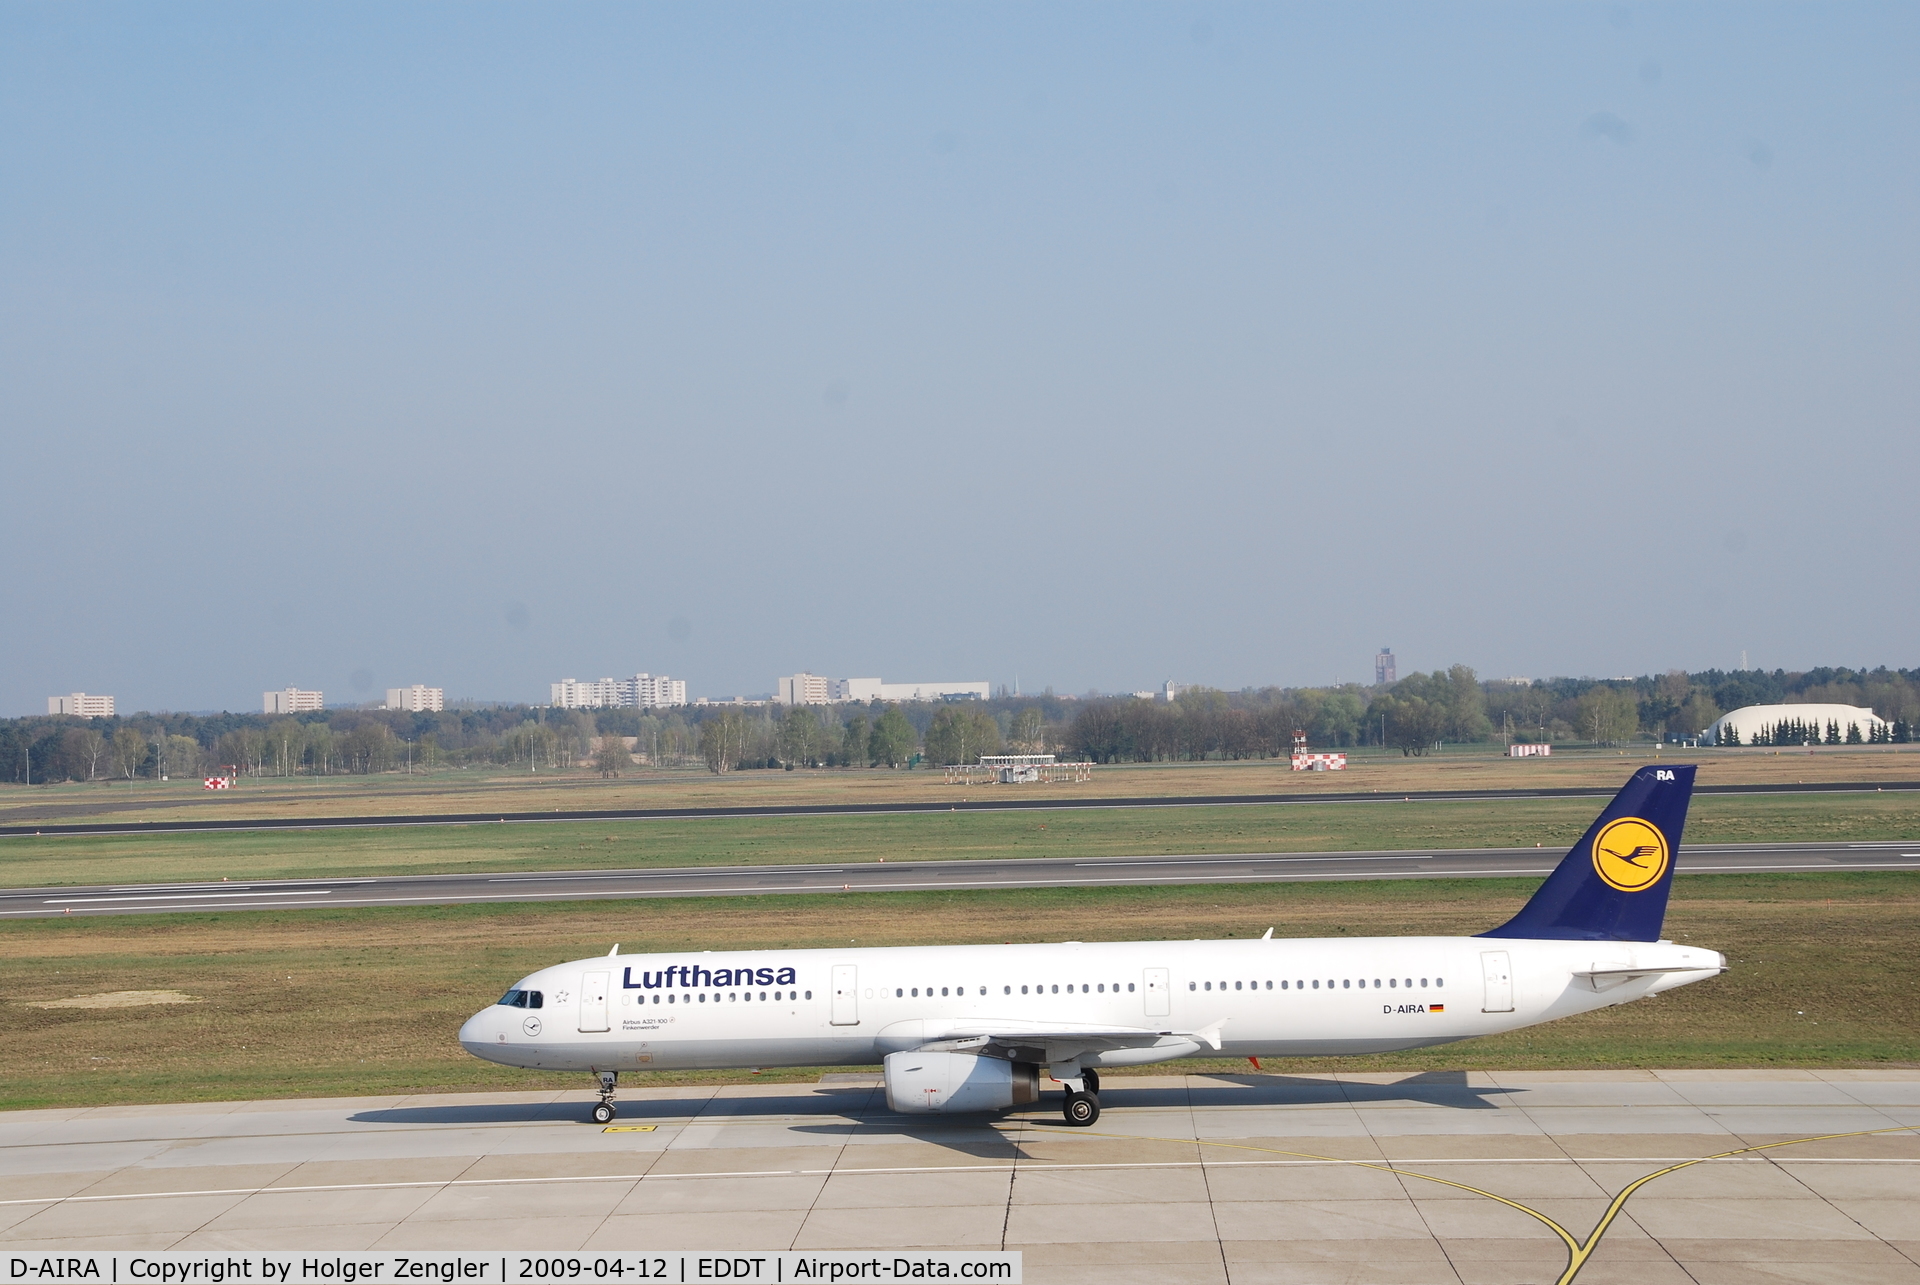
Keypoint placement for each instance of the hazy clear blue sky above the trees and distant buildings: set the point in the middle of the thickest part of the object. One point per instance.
(1097, 345)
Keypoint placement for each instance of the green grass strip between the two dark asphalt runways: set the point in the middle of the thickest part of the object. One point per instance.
(786, 840)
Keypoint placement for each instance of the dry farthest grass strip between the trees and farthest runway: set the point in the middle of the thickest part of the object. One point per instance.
(485, 790)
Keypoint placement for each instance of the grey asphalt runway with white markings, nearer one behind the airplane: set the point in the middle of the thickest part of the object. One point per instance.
(909, 877)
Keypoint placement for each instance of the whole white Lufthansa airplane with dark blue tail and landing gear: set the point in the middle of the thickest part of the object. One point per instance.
(967, 1029)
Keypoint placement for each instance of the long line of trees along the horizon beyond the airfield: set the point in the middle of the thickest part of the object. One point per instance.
(1412, 715)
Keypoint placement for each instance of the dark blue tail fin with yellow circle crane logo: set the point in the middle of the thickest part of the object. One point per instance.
(1614, 885)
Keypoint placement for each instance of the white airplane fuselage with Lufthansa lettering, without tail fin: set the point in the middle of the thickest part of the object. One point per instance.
(1268, 998)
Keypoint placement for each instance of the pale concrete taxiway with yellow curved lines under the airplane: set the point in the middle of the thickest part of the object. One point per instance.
(1454, 1176)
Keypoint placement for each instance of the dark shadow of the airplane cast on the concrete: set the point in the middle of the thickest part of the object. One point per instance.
(867, 1107)
